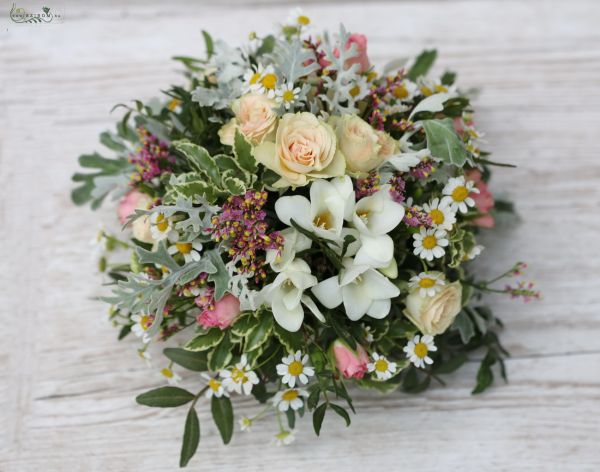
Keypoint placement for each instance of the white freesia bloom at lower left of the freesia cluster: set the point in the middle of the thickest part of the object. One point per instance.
(286, 295)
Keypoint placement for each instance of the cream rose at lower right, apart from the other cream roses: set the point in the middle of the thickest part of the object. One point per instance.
(433, 315)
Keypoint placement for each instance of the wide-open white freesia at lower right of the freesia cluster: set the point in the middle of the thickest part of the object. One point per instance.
(363, 290)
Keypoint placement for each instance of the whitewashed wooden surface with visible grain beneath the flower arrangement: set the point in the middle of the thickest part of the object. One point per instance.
(67, 387)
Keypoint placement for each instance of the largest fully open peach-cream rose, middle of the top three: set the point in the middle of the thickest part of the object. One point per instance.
(304, 149)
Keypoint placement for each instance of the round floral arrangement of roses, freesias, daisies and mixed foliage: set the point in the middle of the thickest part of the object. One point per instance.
(296, 220)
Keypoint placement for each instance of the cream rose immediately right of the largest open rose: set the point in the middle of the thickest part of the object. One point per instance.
(363, 147)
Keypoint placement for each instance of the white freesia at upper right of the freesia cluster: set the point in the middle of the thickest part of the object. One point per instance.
(374, 217)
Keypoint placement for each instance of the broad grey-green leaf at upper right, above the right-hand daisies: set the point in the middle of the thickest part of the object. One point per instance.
(444, 143)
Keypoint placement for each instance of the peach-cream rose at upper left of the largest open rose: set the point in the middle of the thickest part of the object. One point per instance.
(254, 117)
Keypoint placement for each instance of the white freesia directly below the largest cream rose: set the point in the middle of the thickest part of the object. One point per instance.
(330, 203)
